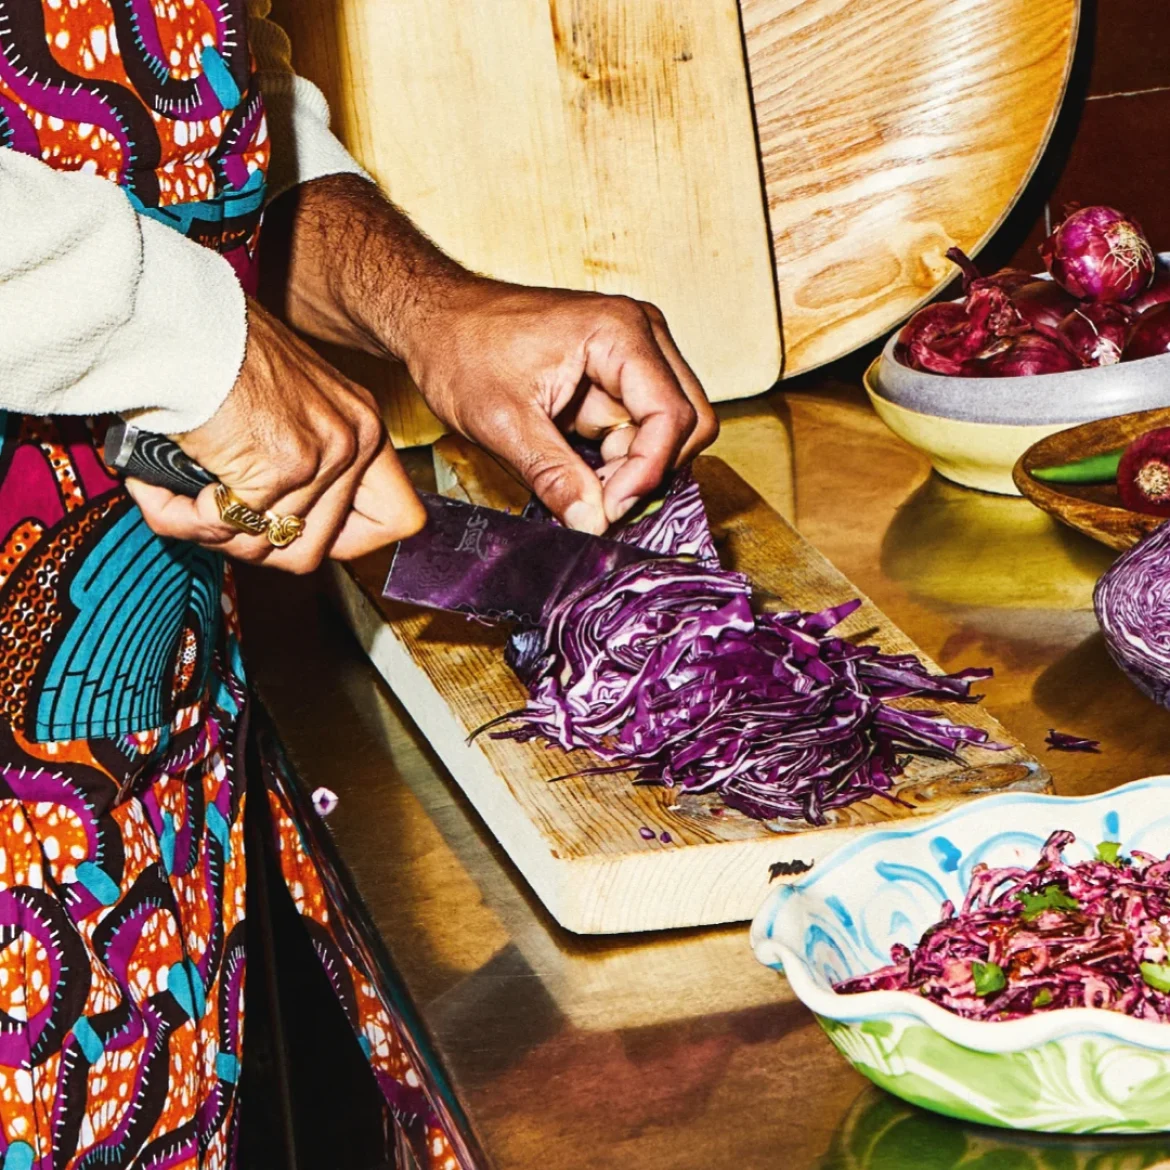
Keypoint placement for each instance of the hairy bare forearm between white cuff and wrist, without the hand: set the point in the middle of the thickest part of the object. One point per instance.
(348, 267)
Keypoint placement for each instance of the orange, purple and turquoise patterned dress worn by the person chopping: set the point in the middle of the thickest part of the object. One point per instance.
(125, 708)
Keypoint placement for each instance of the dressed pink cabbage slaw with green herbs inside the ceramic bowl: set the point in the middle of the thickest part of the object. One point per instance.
(1093, 934)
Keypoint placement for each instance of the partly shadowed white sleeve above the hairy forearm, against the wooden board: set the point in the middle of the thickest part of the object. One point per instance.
(304, 148)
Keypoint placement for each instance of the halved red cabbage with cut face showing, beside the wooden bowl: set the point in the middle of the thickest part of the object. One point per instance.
(1133, 607)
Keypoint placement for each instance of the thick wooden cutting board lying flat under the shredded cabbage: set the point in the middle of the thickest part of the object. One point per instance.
(579, 842)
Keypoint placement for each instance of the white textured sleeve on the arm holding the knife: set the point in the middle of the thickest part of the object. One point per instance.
(105, 311)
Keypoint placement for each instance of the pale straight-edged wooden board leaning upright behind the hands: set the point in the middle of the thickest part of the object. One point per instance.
(591, 144)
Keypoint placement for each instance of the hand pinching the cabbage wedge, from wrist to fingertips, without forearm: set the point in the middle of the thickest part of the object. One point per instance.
(510, 367)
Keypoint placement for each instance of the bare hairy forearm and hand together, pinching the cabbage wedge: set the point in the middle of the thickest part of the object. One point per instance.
(508, 367)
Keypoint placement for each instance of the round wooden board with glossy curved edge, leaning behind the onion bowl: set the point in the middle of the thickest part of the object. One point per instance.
(890, 132)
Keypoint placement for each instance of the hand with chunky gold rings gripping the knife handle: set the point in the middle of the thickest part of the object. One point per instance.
(294, 437)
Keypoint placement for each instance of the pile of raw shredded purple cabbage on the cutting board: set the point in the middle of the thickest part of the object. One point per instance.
(664, 669)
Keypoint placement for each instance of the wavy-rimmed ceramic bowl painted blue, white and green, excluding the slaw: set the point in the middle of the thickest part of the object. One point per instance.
(1076, 1071)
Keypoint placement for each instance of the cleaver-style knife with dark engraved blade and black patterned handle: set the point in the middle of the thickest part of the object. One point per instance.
(470, 560)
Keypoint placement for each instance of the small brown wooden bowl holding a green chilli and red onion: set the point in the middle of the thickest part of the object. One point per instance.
(1092, 508)
